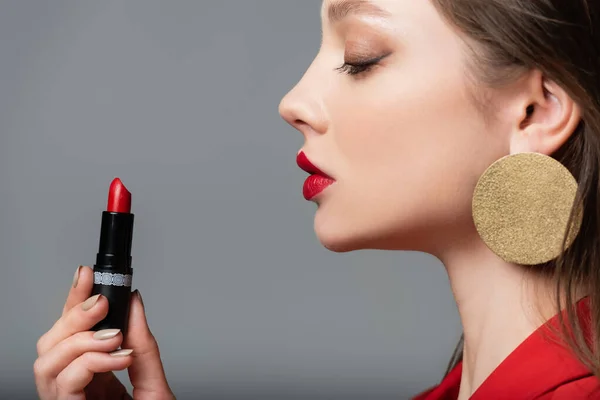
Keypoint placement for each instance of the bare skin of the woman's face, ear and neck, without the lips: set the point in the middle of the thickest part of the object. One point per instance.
(406, 144)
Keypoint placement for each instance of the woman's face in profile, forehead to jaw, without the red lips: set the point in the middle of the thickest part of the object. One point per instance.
(402, 138)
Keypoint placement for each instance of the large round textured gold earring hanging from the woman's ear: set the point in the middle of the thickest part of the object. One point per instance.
(521, 208)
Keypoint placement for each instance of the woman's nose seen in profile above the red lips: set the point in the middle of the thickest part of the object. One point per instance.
(303, 106)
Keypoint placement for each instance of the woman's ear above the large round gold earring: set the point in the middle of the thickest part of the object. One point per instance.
(545, 116)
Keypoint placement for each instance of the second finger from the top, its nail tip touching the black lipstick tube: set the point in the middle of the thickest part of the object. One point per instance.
(79, 318)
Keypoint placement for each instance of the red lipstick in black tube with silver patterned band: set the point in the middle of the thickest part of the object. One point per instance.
(112, 271)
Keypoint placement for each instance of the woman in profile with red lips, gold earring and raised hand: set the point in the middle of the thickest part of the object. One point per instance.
(467, 129)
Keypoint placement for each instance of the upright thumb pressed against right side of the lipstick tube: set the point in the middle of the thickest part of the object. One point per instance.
(146, 372)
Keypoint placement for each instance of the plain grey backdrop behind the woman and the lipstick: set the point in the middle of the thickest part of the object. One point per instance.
(179, 99)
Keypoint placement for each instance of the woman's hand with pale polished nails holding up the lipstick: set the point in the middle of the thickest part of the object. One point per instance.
(75, 364)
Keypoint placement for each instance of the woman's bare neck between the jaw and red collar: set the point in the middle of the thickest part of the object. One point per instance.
(500, 305)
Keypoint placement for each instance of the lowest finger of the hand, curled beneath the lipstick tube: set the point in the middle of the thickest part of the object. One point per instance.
(77, 375)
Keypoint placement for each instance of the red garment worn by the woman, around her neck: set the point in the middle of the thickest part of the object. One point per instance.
(537, 369)
